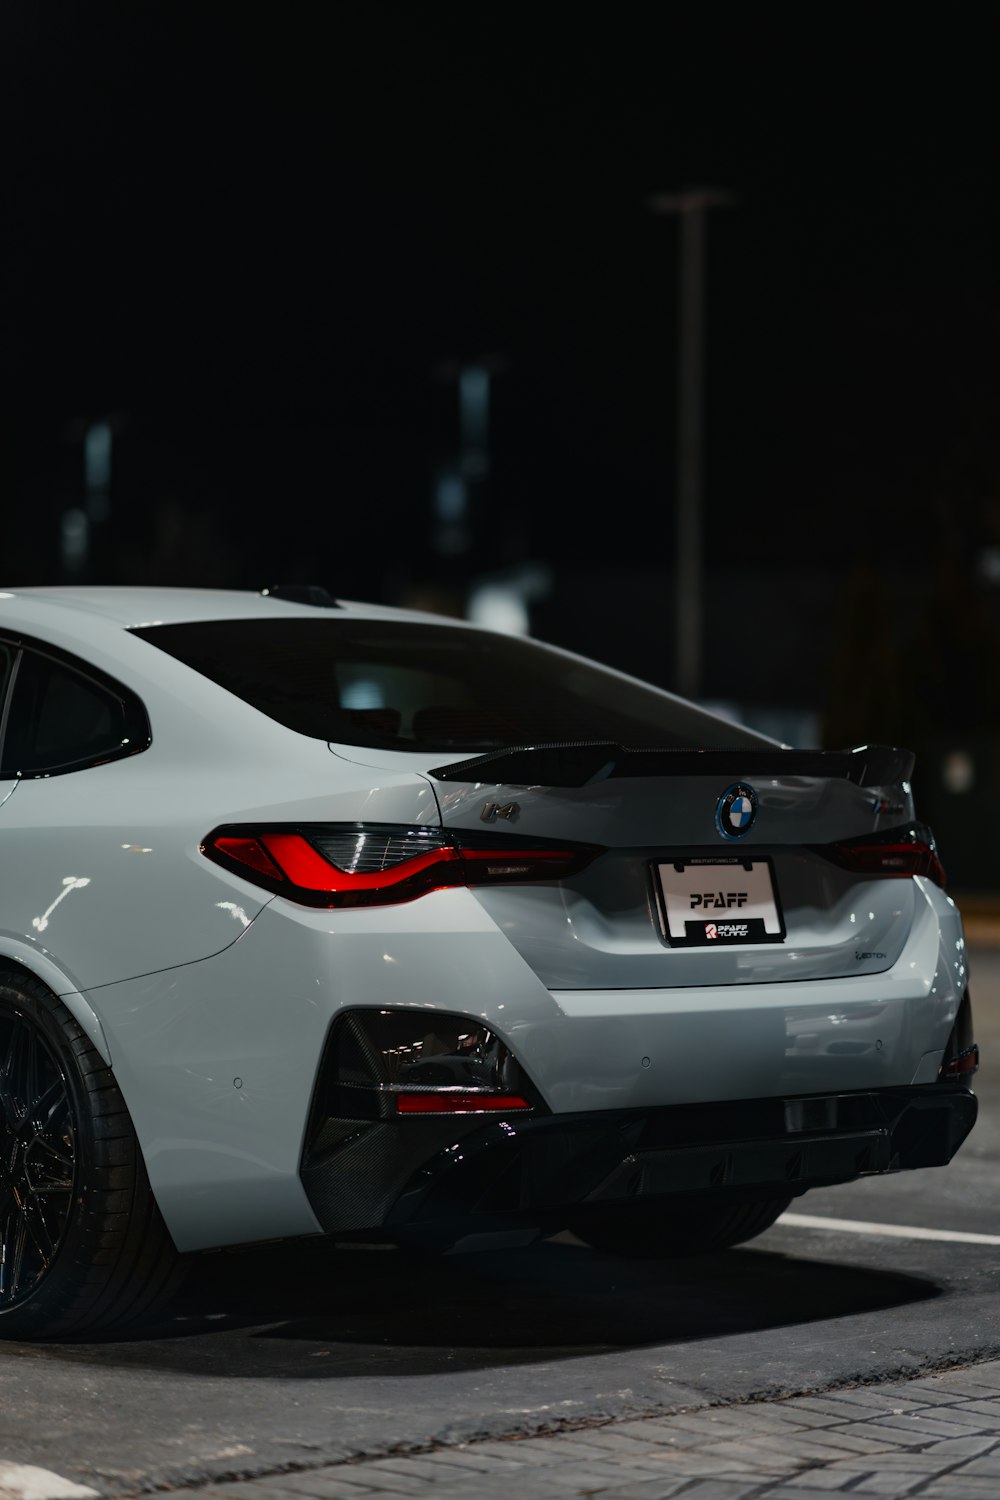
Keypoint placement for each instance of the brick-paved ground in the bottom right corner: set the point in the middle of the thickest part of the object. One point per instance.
(938, 1436)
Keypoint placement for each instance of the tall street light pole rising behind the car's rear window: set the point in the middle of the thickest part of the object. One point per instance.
(690, 206)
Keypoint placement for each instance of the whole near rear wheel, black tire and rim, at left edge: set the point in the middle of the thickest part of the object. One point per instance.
(83, 1247)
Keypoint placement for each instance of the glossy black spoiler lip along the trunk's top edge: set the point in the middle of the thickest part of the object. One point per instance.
(581, 763)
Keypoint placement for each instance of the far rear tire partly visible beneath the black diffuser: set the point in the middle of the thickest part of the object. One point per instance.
(713, 1226)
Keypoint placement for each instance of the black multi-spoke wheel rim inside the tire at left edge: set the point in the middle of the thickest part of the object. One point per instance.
(38, 1160)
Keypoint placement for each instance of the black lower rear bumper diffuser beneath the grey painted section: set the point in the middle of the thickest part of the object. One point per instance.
(442, 1181)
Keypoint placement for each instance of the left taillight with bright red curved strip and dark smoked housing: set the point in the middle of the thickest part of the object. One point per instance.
(376, 865)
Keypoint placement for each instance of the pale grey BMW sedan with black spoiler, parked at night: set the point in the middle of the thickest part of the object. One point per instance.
(331, 919)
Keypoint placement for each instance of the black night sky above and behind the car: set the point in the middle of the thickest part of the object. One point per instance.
(262, 242)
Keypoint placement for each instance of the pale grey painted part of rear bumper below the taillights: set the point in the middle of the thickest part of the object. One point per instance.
(220, 1061)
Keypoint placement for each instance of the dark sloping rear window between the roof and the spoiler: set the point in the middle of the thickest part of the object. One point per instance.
(389, 685)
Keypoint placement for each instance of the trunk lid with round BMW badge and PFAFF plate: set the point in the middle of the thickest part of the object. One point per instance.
(662, 817)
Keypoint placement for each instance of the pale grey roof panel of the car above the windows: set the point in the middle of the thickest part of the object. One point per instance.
(131, 607)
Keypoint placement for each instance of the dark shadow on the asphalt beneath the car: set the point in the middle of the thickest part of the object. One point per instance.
(311, 1312)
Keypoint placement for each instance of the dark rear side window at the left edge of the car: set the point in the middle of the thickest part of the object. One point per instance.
(61, 719)
